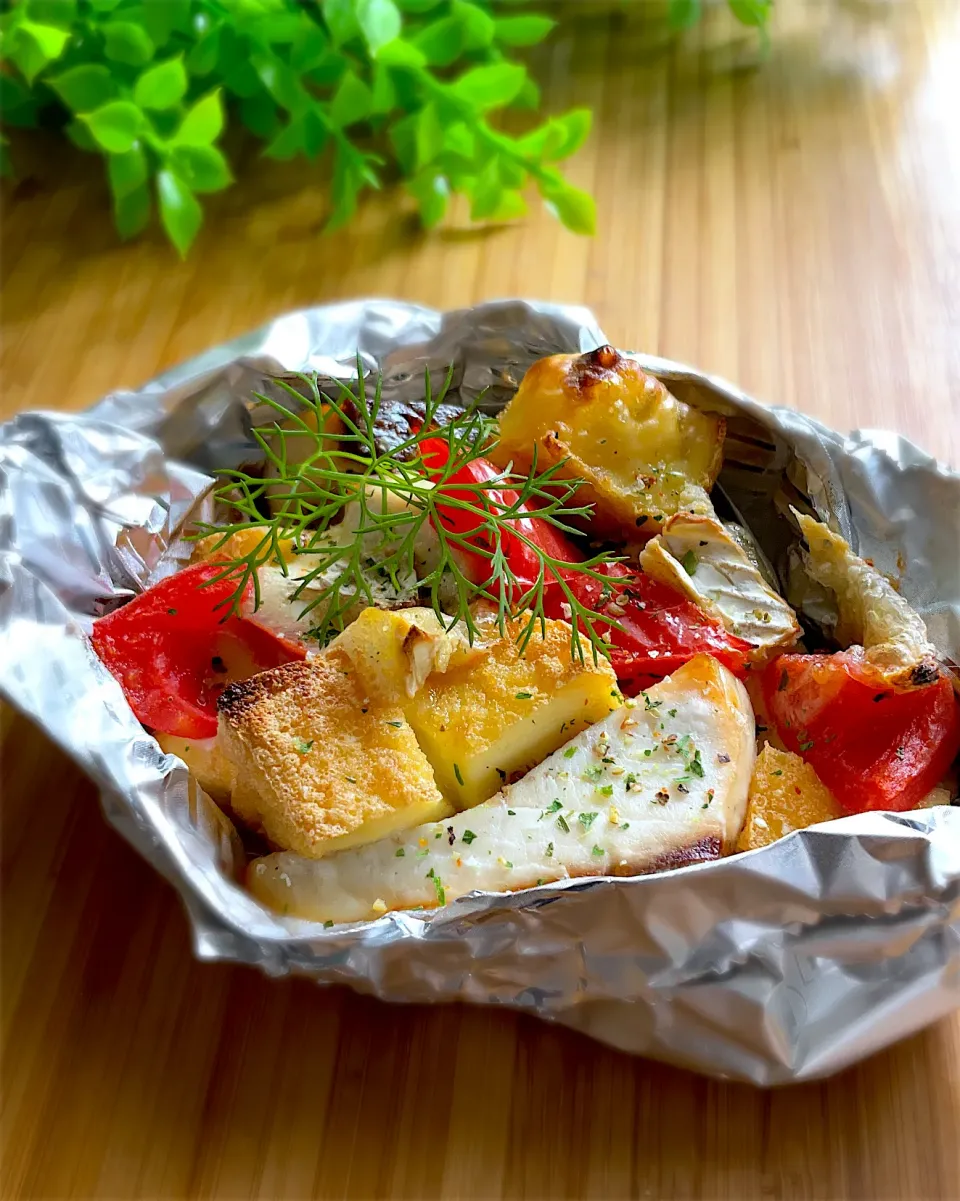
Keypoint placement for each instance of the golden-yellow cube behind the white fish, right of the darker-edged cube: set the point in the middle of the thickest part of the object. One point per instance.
(506, 712)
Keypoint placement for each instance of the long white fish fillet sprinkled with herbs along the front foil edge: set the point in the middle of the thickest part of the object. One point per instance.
(657, 785)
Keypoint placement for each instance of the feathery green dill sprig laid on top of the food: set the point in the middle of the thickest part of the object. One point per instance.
(390, 497)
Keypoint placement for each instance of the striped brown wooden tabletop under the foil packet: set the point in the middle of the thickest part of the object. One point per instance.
(795, 229)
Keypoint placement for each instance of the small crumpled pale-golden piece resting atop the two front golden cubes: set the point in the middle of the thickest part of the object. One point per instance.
(396, 652)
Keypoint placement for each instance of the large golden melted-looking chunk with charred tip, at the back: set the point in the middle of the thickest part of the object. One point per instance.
(643, 455)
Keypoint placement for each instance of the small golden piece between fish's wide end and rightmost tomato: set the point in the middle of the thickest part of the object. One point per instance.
(785, 794)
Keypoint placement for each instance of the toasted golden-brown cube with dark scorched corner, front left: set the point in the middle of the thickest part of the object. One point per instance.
(318, 764)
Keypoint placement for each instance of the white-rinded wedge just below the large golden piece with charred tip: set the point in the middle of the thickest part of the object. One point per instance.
(699, 558)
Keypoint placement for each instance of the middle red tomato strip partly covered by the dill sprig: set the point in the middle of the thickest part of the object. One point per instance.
(660, 629)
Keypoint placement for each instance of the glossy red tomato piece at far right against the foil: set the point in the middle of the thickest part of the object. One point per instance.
(874, 749)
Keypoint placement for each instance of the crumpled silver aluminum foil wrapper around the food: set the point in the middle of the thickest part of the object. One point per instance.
(780, 965)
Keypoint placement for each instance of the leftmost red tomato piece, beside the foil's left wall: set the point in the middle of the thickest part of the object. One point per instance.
(172, 650)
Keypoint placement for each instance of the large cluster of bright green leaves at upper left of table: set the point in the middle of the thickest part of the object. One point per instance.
(375, 85)
